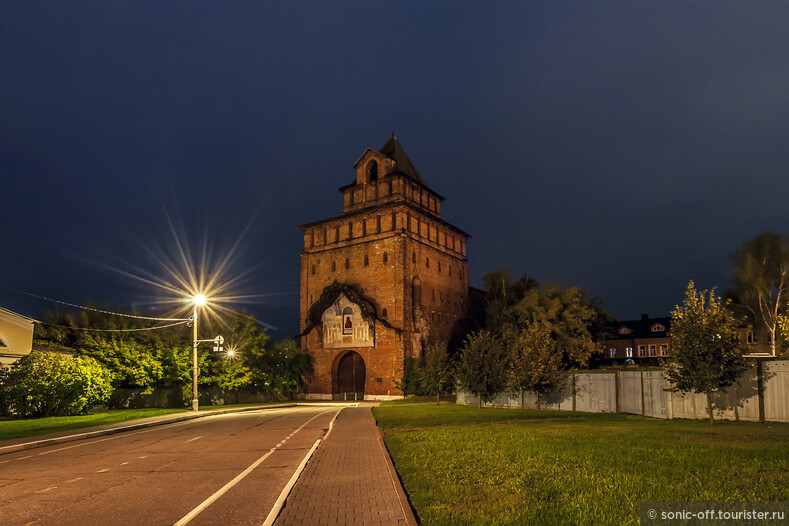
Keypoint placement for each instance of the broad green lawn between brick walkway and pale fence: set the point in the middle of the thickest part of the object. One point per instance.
(464, 465)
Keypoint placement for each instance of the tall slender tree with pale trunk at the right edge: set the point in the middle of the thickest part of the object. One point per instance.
(761, 281)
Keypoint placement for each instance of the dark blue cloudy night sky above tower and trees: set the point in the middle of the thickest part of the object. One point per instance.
(625, 147)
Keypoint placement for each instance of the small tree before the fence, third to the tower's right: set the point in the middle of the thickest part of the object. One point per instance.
(535, 364)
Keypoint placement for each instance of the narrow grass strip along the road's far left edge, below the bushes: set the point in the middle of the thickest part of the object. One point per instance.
(16, 428)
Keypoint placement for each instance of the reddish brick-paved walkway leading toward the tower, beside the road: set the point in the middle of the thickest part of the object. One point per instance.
(349, 479)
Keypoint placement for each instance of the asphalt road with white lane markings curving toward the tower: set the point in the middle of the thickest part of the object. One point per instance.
(165, 474)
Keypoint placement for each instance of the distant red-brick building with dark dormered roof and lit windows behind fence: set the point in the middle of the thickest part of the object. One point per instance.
(642, 342)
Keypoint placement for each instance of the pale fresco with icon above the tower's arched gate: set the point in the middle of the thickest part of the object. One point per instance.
(344, 326)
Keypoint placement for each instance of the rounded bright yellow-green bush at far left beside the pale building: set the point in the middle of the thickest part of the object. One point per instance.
(50, 384)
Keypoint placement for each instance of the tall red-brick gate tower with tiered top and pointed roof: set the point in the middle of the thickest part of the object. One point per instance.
(380, 281)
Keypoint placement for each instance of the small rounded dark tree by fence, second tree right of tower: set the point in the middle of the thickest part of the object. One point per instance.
(483, 366)
